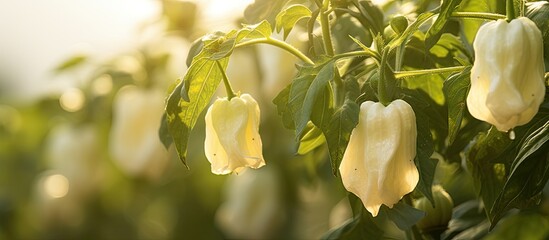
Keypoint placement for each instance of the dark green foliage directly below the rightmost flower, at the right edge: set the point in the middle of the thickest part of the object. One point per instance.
(511, 173)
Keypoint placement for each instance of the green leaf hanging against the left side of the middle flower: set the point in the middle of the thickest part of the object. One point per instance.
(338, 132)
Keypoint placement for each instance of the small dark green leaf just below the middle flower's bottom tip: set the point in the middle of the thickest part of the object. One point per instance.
(403, 215)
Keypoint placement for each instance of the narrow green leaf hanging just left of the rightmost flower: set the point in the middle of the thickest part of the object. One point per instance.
(455, 91)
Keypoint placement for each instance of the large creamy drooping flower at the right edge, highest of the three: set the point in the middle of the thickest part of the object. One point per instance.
(507, 78)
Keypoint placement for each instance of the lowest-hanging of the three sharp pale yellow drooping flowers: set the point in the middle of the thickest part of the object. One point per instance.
(378, 164)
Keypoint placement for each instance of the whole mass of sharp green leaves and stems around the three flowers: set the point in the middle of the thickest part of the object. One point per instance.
(426, 63)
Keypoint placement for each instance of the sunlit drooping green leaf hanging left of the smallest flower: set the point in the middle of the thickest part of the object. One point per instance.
(200, 83)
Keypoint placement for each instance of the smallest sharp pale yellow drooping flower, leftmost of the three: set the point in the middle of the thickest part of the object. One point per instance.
(232, 135)
